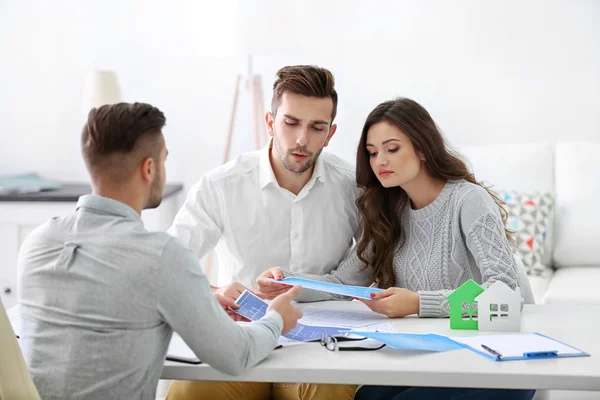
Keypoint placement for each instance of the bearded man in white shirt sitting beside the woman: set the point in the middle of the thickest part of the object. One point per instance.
(288, 204)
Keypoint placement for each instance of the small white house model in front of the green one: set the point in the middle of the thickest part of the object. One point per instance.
(499, 308)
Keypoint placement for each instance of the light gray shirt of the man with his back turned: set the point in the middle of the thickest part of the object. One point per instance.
(100, 297)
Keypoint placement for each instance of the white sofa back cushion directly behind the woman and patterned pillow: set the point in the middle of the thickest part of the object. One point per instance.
(527, 167)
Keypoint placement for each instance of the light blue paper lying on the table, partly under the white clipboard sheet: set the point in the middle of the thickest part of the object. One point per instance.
(413, 341)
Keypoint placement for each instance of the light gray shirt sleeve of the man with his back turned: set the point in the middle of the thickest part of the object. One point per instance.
(189, 307)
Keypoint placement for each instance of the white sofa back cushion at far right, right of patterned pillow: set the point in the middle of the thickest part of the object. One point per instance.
(577, 224)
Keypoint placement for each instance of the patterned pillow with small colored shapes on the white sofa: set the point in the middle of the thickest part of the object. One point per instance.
(529, 218)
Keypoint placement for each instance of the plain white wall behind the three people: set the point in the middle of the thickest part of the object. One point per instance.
(489, 72)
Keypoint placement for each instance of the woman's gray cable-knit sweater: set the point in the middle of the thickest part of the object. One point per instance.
(459, 236)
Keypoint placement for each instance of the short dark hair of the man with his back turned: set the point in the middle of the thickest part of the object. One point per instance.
(117, 137)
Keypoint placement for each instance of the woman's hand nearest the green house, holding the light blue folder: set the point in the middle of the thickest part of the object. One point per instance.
(394, 302)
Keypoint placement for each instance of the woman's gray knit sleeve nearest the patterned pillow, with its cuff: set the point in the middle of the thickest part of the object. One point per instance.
(482, 228)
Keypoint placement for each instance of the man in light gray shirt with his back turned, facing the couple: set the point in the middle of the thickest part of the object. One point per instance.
(100, 296)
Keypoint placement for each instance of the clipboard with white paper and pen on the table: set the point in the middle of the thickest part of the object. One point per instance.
(518, 346)
